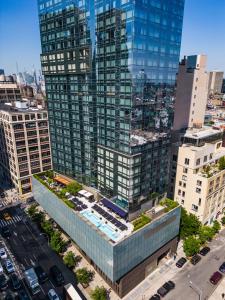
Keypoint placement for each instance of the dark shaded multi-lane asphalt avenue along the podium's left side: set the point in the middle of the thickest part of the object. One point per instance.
(29, 248)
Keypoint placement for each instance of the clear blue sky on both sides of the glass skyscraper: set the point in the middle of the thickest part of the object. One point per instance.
(203, 32)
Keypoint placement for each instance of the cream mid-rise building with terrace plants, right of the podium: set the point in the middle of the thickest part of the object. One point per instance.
(200, 185)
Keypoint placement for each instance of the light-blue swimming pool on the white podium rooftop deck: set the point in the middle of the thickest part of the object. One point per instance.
(100, 224)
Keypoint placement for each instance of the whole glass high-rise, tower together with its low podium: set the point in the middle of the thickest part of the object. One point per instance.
(110, 70)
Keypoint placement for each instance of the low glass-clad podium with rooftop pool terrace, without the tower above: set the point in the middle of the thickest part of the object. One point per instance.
(123, 252)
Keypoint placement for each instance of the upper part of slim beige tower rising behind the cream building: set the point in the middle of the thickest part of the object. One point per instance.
(191, 94)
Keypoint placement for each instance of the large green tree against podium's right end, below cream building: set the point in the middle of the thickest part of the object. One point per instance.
(190, 224)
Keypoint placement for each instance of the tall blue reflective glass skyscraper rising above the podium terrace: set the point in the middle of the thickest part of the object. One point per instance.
(110, 69)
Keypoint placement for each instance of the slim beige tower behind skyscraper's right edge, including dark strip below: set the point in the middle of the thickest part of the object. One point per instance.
(189, 108)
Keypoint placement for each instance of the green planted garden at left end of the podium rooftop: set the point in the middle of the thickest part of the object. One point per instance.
(61, 191)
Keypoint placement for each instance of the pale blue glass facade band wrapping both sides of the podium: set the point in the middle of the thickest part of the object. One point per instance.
(114, 259)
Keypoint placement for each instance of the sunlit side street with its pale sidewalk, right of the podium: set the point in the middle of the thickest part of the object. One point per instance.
(191, 281)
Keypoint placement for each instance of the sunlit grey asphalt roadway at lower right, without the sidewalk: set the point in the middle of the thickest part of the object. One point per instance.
(193, 281)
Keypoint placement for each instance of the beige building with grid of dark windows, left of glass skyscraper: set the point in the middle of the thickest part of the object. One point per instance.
(24, 144)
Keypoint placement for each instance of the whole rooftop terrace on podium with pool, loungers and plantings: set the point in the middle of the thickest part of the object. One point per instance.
(103, 214)
